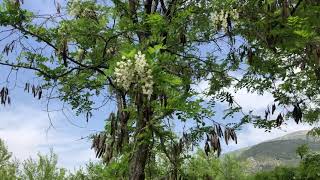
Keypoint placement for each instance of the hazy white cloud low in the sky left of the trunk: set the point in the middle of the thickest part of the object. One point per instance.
(24, 129)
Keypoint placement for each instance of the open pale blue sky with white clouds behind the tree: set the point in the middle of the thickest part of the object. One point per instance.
(25, 125)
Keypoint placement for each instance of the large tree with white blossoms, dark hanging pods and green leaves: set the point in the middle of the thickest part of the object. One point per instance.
(147, 56)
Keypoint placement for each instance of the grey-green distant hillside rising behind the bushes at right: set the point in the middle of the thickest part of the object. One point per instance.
(269, 154)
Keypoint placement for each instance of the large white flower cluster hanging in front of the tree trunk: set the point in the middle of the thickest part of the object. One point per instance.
(128, 72)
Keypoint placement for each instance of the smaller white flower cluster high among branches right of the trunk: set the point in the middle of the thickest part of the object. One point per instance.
(221, 18)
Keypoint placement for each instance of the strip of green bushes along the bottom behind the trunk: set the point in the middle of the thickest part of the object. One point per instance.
(198, 166)
